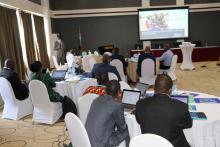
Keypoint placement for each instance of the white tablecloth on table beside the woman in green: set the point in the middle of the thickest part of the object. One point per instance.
(74, 89)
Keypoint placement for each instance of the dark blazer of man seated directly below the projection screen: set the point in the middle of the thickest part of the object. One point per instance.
(143, 56)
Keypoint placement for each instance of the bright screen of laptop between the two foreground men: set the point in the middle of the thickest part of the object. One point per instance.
(130, 96)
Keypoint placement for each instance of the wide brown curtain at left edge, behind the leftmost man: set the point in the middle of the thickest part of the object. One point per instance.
(10, 46)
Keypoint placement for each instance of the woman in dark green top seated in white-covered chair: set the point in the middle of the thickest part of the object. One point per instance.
(67, 104)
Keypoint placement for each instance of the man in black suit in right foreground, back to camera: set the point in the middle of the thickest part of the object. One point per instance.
(162, 115)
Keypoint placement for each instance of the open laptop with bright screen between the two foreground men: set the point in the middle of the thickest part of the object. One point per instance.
(130, 98)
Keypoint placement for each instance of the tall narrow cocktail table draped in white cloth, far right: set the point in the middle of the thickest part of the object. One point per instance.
(187, 49)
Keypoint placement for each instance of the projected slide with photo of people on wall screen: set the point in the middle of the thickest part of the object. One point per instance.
(163, 24)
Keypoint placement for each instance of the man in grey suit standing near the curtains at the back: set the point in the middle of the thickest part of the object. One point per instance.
(59, 49)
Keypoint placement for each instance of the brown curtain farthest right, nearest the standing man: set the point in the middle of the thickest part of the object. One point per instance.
(41, 39)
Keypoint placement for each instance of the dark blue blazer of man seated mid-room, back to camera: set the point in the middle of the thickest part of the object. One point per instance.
(100, 67)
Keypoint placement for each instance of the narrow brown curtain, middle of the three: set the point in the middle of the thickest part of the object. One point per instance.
(28, 35)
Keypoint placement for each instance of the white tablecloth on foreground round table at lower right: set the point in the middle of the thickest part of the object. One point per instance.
(204, 133)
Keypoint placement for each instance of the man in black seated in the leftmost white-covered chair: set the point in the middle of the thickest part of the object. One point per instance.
(20, 89)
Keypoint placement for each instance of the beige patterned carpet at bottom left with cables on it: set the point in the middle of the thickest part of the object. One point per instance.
(23, 133)
